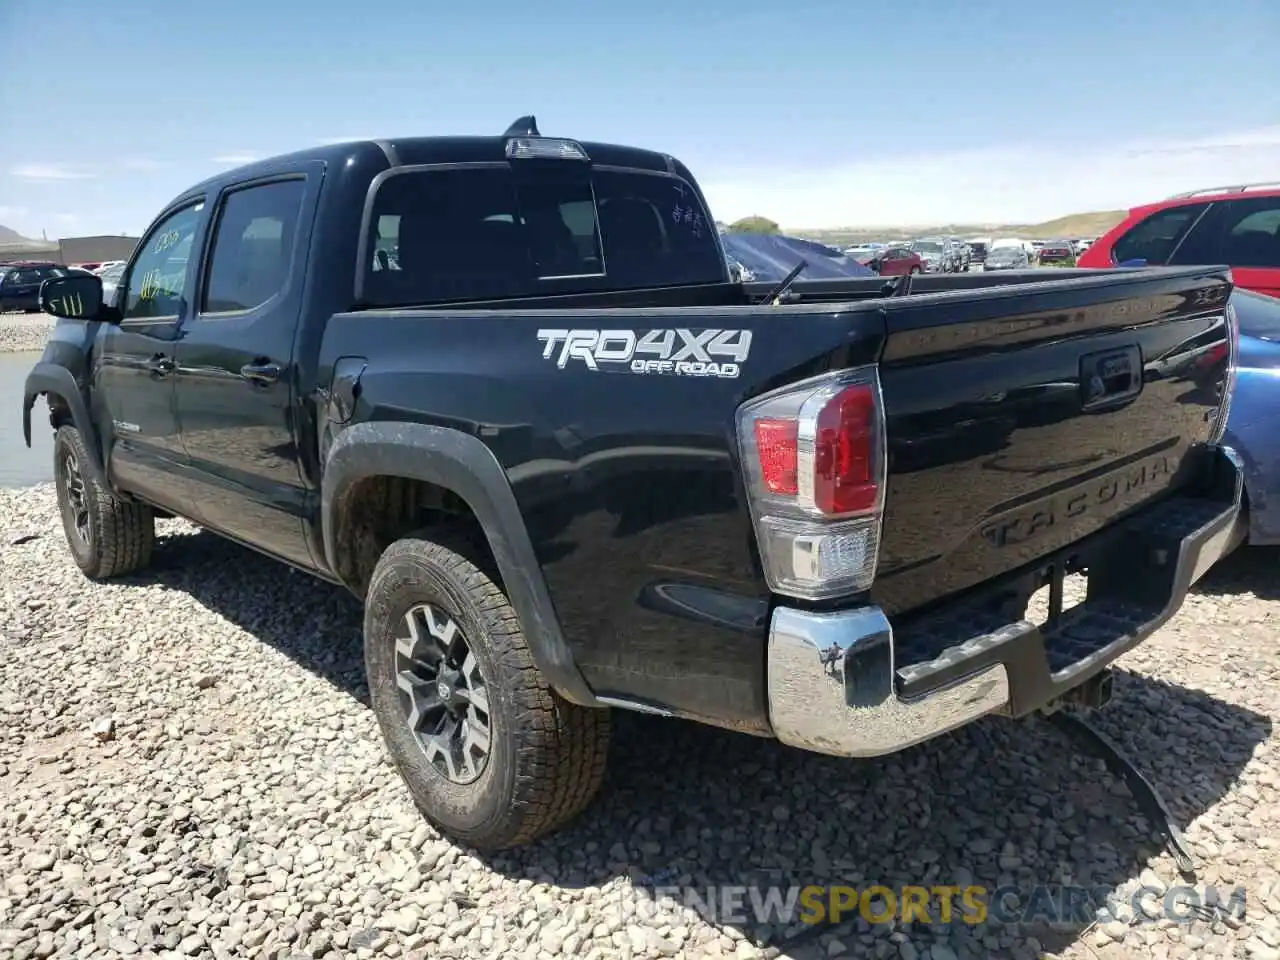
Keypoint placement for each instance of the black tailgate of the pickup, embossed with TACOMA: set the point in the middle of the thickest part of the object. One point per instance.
(1027, 419)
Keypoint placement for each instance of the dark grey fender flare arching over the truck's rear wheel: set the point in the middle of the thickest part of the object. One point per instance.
(467, 467)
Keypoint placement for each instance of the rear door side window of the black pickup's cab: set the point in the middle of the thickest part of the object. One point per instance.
(253, 246)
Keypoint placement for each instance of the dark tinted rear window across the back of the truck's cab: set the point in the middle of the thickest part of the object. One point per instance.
(483, 234)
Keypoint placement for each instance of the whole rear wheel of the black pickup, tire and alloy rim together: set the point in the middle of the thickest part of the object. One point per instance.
(492, 756)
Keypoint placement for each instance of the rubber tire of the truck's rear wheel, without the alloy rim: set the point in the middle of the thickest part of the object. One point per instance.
(547, 756)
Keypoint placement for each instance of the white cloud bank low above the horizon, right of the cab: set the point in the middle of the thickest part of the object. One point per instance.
(1003, 184)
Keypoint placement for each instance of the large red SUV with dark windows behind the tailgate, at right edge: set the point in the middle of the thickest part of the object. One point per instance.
(1235, 226)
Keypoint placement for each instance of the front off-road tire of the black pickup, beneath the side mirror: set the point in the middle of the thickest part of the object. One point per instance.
(120, 536)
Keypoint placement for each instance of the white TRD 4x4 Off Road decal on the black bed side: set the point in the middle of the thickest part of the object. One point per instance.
(680, 353)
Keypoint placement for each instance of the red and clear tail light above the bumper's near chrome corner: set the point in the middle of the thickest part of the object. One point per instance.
(815, 461)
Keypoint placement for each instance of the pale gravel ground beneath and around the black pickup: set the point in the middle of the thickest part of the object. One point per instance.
(190, 767)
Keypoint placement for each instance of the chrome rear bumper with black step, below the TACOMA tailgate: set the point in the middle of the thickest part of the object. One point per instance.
(840, 684)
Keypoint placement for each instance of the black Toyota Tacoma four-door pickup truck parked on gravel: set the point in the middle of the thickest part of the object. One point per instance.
(504, 390)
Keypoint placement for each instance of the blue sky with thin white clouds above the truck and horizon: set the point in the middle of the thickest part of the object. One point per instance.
(811, 113)
